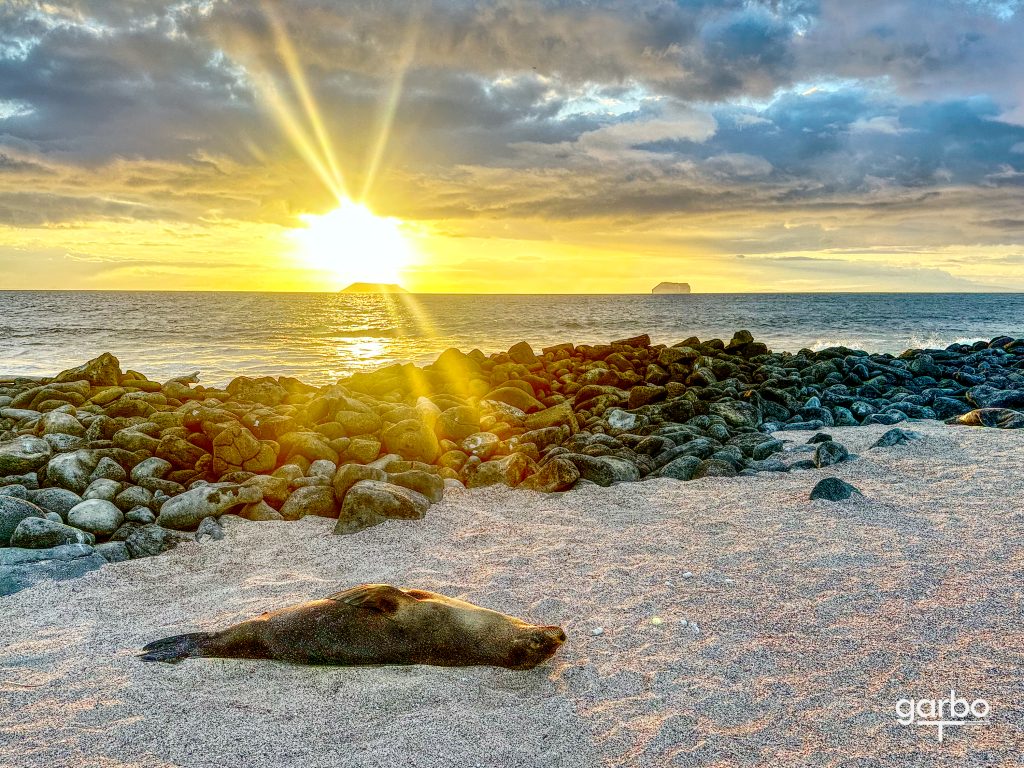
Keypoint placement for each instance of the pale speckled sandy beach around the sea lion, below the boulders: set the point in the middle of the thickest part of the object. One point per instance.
(805, 623)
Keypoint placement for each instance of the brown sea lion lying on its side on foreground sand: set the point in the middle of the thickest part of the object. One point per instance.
(374, 624)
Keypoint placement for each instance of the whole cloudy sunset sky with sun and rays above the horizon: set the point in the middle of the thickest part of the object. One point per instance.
(514, 147)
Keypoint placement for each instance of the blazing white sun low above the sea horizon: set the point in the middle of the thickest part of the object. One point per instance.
(355, 244)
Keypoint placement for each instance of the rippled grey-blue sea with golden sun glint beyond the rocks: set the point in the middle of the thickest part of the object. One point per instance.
(322, 337)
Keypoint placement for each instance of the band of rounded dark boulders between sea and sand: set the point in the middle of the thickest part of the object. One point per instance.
(99, 465)
